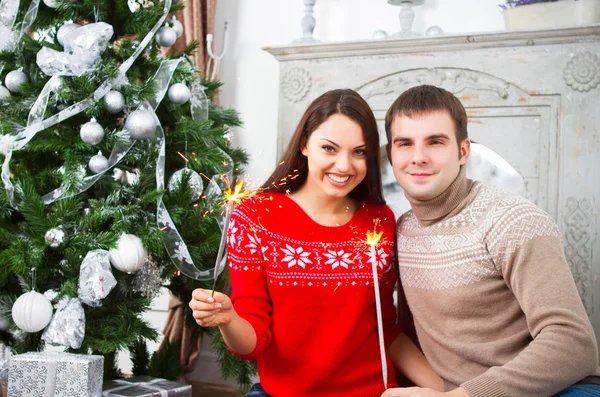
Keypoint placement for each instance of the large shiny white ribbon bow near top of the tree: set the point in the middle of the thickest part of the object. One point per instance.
(83, 48)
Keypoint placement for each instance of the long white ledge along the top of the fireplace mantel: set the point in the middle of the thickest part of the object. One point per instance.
(437, 43)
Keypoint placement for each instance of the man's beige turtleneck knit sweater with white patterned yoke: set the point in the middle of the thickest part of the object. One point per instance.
(495, 306)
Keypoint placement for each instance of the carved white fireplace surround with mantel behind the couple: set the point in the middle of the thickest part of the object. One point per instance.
(532, 96)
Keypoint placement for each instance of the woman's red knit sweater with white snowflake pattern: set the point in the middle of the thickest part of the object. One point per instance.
(307, 290)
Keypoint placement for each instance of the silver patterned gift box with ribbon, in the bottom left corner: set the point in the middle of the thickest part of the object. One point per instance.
(55, 375)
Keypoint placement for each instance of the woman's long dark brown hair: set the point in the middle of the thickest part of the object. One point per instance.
(292, 171)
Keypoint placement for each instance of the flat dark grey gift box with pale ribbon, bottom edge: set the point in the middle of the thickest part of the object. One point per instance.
(145, 386)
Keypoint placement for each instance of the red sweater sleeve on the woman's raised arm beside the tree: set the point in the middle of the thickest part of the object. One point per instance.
(250, 295)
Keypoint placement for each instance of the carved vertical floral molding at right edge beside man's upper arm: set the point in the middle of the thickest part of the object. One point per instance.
(578, 245)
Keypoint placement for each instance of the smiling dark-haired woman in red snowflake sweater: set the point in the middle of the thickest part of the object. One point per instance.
(303, 301)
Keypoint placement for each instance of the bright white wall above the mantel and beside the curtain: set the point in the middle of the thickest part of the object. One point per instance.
(251, 75)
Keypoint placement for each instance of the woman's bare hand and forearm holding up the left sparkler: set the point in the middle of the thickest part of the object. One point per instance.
(217, 311)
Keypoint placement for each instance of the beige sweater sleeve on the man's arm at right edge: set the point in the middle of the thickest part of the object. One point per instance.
(525, 246)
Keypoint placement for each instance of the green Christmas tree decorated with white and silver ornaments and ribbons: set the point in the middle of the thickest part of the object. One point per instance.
(114, 164)
